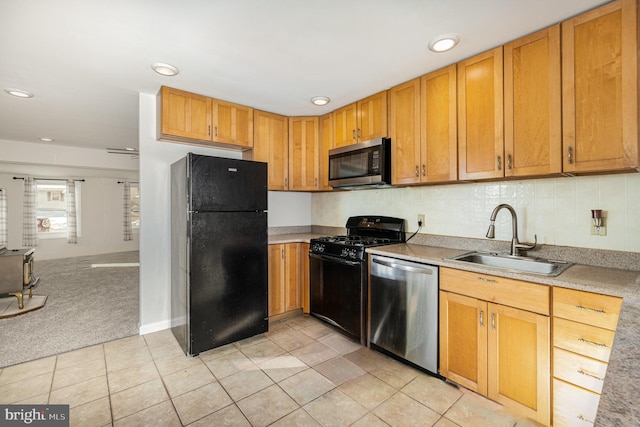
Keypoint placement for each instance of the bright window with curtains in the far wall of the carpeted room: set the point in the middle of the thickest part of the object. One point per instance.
(51, 208)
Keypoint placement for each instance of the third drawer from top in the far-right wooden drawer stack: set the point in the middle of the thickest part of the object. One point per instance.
(579, 370)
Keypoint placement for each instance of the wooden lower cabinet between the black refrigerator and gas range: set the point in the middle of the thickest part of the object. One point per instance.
(285, 278)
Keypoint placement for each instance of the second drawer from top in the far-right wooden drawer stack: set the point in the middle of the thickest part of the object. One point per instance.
(582, 339)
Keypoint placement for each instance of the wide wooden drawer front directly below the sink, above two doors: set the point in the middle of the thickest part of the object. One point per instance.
(513, 293)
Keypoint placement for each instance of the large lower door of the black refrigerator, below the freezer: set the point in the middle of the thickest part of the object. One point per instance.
(228, 278)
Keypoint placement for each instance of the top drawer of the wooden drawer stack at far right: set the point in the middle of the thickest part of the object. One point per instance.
(587, 307)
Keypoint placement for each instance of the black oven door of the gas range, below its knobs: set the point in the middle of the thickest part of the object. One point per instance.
(338, 293)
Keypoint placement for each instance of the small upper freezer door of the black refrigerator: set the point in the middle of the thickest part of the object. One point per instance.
(220, 184)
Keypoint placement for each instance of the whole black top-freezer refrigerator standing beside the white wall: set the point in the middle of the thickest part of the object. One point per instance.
(219, 268)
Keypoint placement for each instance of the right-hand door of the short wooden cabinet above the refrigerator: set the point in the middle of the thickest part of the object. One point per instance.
(232, 123)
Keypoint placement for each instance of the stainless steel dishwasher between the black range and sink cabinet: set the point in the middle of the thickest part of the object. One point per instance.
(404, 310)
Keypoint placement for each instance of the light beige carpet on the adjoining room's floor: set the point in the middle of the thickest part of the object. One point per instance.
(85, 306)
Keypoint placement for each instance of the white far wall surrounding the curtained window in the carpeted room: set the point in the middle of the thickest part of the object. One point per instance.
(101, 195)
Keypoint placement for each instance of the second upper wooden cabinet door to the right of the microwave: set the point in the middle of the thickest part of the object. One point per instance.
(438, 124)
